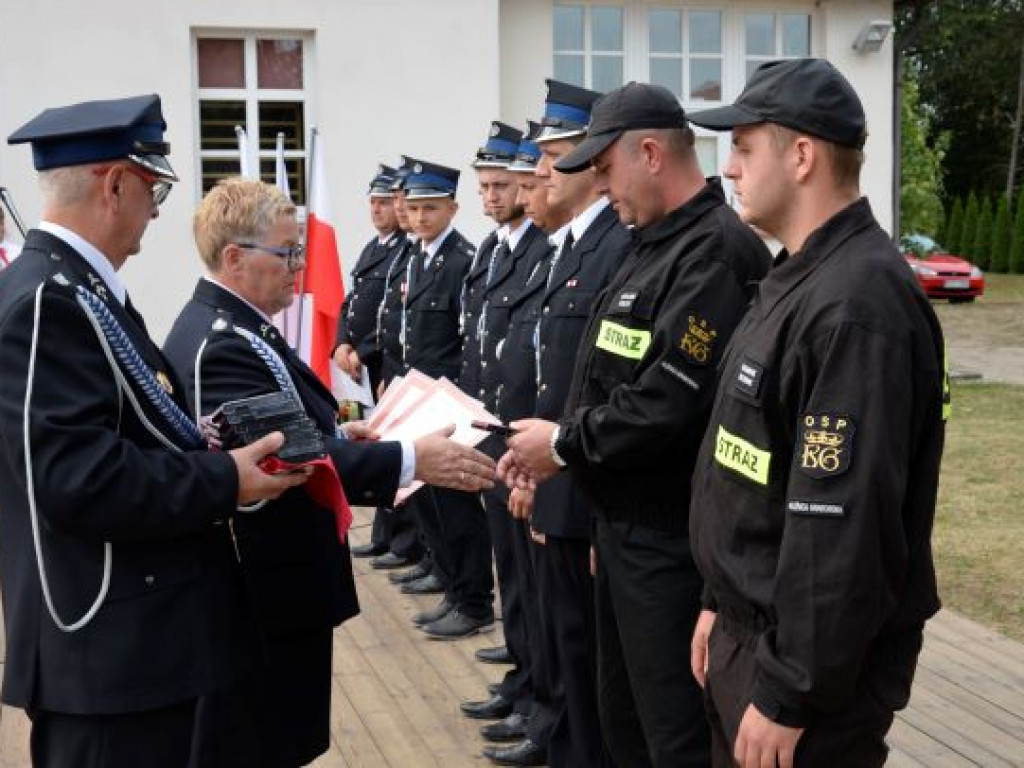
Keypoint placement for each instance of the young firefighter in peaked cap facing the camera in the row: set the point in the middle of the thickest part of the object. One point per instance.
(453, 522)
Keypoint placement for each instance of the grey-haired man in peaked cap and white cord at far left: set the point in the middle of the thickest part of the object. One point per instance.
(120, 581)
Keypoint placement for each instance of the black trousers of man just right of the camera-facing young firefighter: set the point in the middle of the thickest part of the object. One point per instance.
(516, 687)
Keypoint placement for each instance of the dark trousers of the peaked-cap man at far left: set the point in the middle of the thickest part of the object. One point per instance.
(160, 739)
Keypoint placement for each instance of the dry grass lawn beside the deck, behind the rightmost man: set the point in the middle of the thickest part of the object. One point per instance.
(979, 527)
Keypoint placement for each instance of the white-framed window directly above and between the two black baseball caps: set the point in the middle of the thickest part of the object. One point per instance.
(685, 50)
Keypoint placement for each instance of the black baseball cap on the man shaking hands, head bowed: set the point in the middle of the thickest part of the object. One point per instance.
(633, 107)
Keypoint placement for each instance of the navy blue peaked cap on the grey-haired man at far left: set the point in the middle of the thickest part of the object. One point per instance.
(97, 132)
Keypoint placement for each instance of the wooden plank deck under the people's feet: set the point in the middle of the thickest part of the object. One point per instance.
(397, 695)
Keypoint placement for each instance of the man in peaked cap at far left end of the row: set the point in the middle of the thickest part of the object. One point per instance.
(357, 343)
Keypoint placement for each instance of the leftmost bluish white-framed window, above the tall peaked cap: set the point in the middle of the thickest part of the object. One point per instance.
(590, 46)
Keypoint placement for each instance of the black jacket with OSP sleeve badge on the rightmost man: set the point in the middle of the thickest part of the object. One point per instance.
(815, 491)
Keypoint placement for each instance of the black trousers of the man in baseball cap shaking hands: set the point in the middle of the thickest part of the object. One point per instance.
(649, 600)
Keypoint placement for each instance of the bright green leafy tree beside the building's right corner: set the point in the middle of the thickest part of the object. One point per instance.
(921, 165)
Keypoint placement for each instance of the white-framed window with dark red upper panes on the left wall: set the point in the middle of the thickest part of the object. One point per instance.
(262, 82)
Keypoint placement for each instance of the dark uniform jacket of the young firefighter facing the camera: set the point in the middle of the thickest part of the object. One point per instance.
(434, 340)
